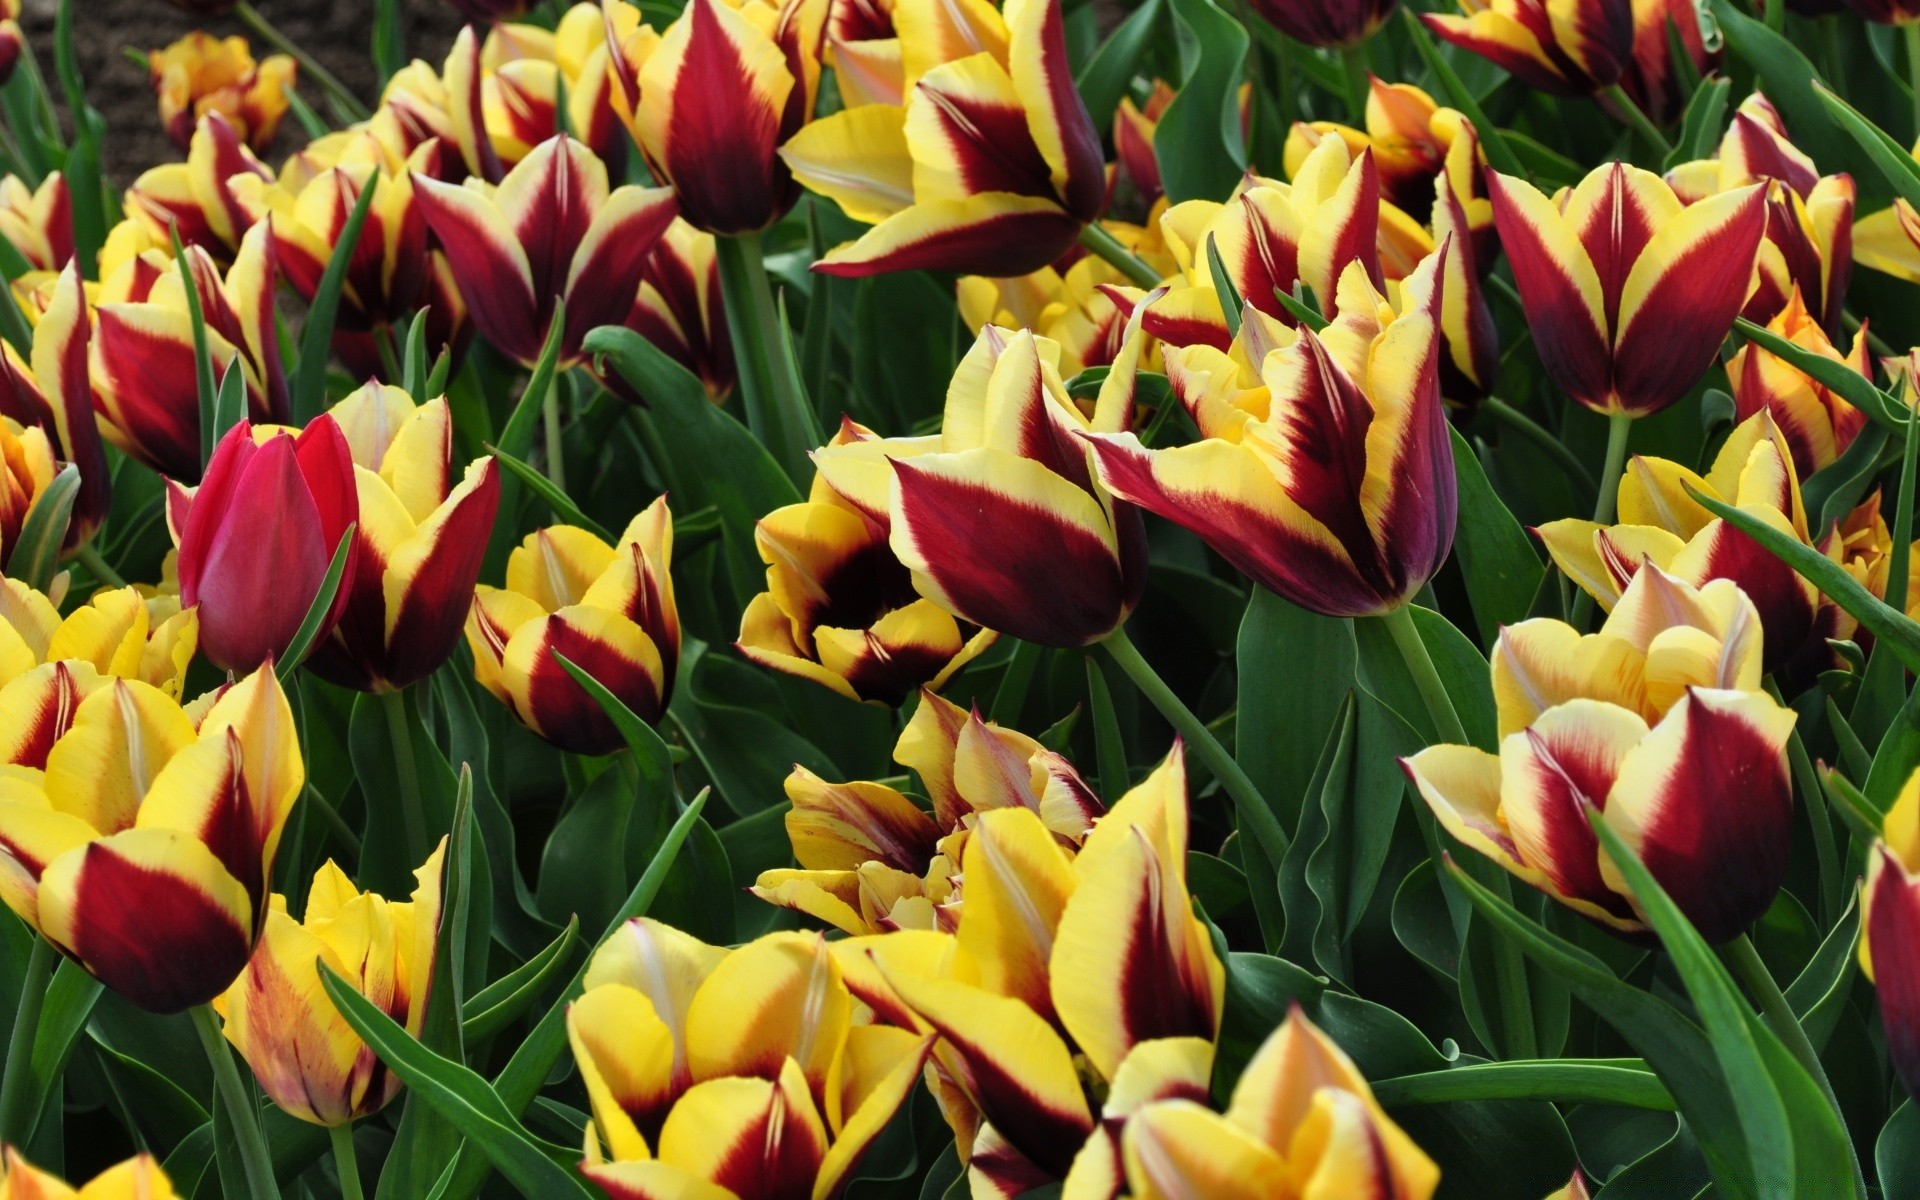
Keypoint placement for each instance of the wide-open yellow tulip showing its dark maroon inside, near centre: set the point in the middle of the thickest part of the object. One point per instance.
(840, 608)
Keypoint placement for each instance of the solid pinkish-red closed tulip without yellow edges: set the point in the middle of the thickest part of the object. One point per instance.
(260, 535)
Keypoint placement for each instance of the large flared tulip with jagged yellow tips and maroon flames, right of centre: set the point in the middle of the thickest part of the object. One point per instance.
(1276, 485)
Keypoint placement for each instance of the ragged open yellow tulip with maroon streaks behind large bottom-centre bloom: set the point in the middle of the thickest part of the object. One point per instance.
(873, 863)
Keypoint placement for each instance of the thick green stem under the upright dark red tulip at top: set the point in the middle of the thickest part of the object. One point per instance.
(769, 383)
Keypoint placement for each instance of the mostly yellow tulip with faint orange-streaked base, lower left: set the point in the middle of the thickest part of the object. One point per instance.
(302, 1051)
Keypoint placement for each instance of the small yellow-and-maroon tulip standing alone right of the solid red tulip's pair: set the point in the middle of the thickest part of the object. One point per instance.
(608, 610)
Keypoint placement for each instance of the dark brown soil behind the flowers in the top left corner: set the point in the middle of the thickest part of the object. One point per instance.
(339, 34)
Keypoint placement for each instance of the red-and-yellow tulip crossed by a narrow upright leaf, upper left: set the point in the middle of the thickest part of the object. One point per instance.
(143, 350)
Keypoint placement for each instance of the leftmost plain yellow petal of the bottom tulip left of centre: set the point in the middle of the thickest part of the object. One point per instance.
(627, 1063)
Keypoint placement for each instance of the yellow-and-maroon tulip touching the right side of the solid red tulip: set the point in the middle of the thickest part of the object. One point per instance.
(420, 542)
